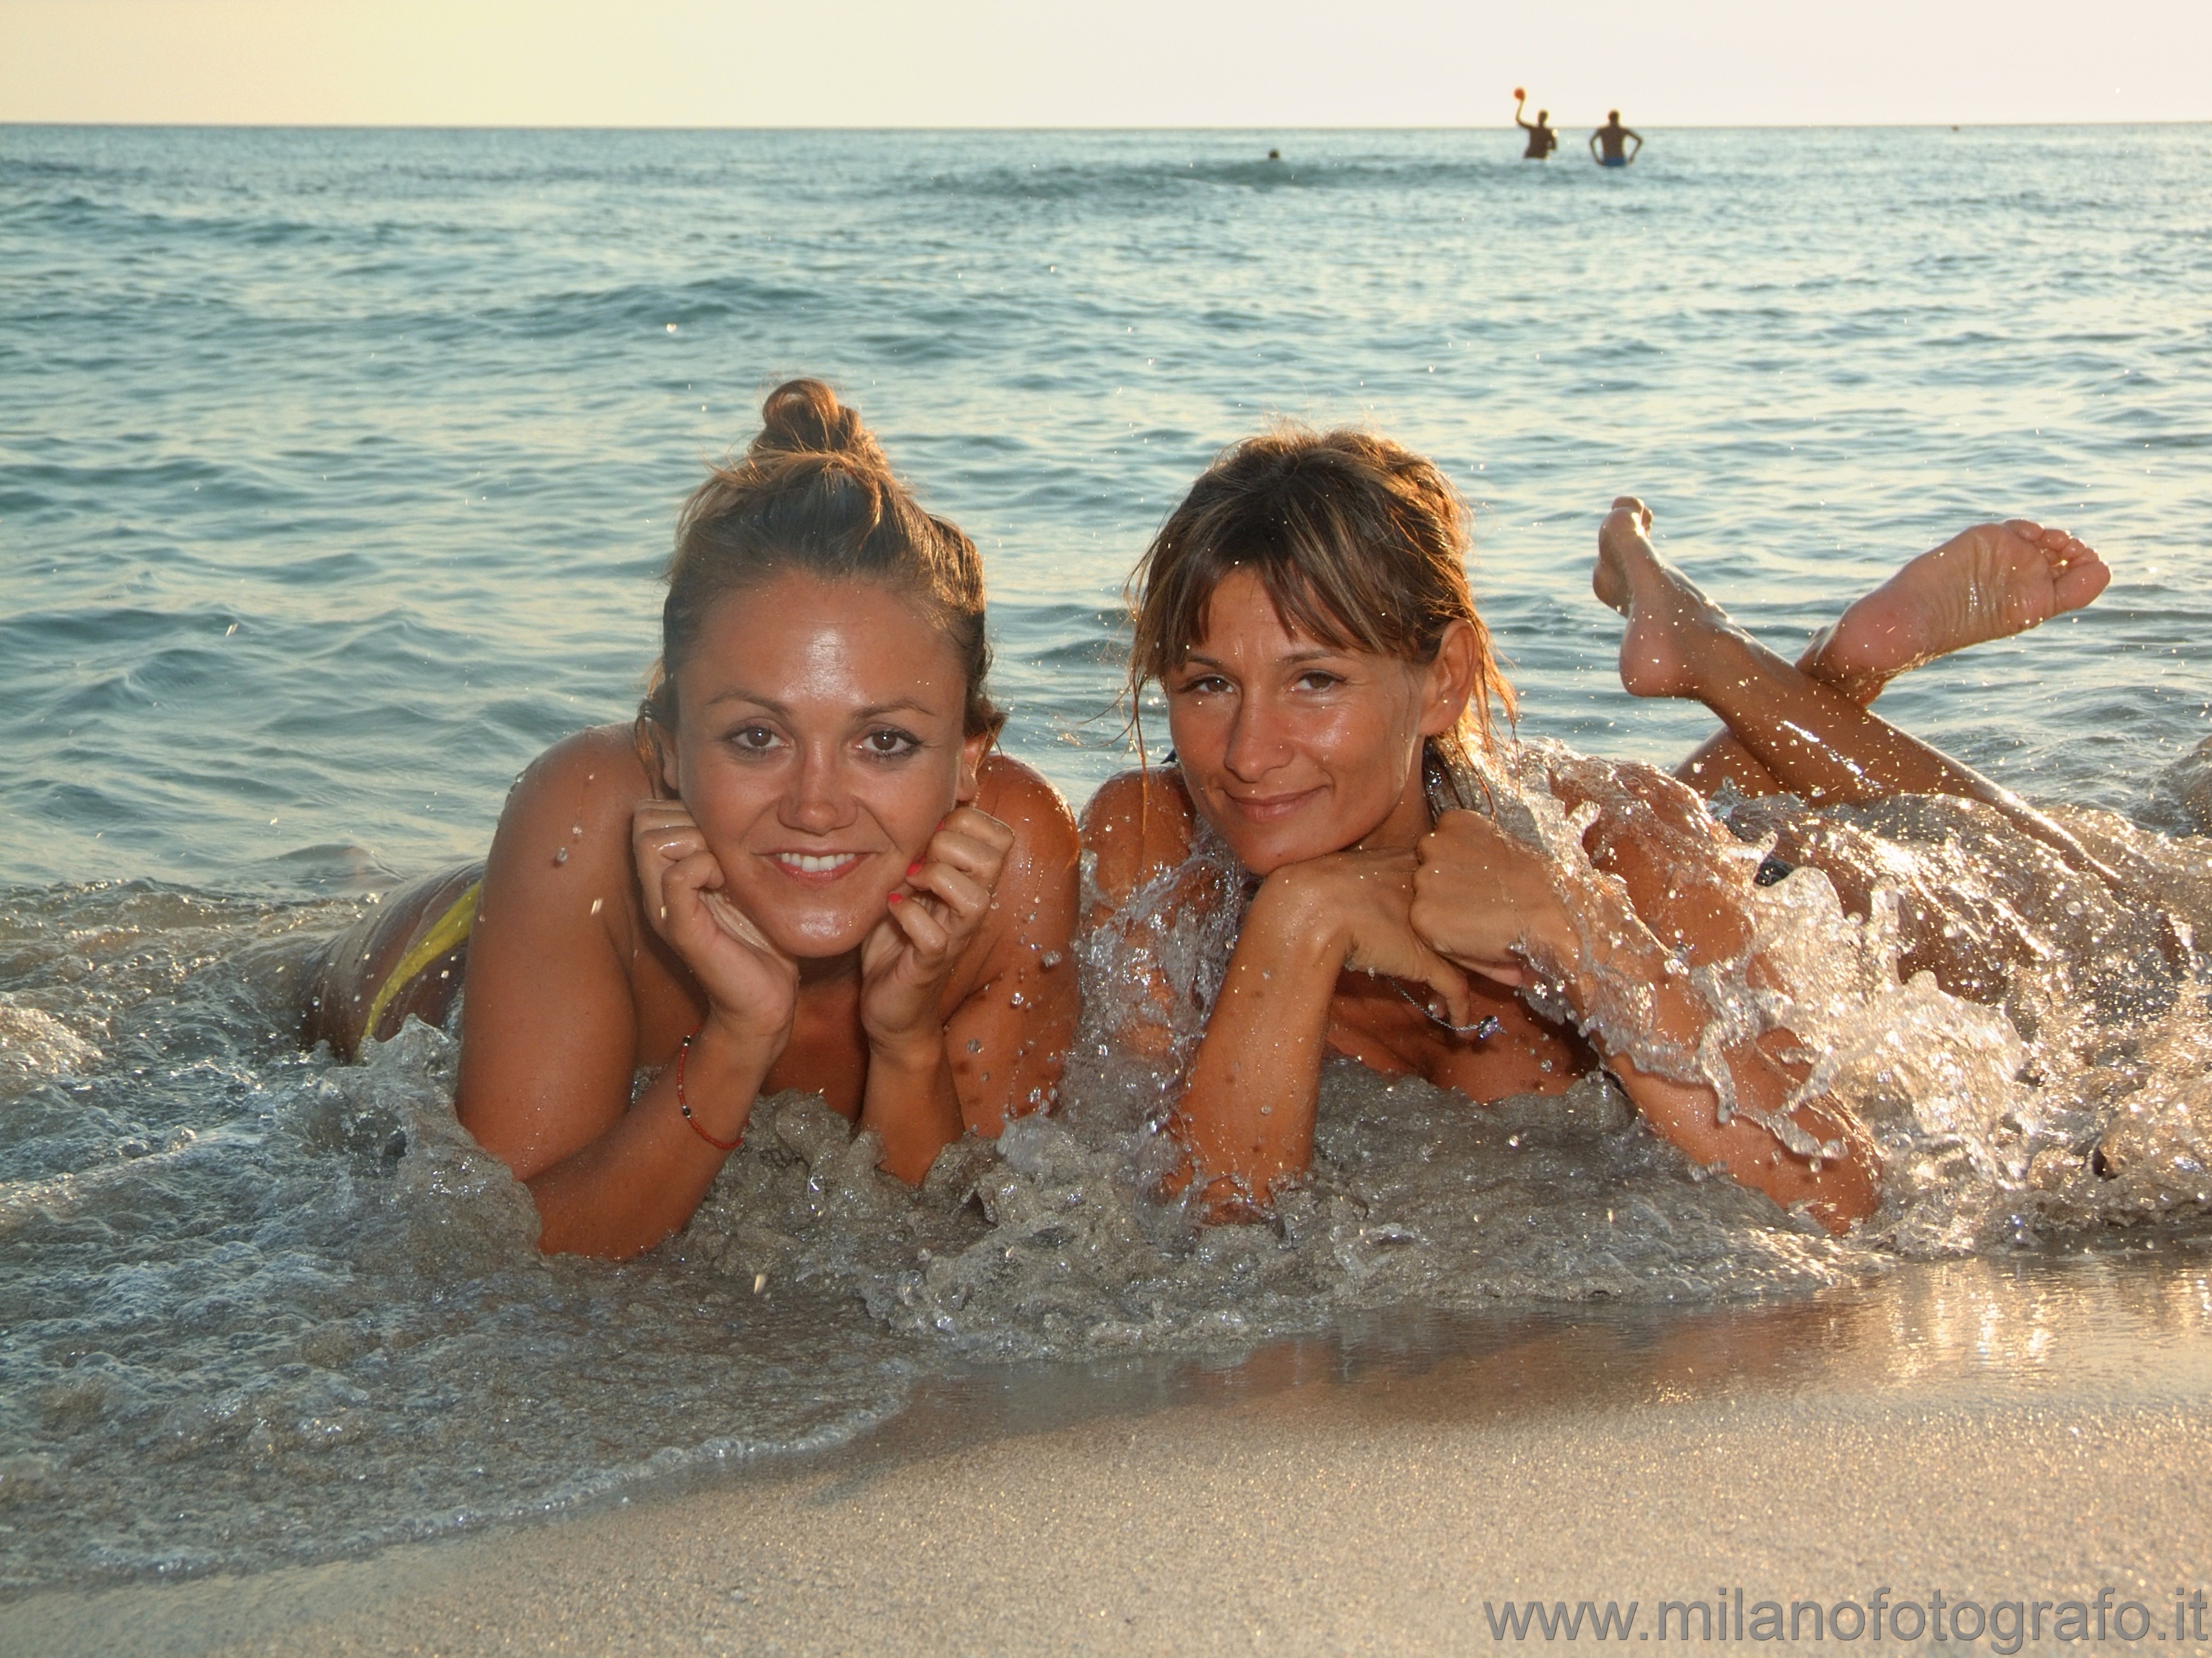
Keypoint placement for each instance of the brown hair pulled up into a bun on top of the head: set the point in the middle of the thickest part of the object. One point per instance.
(815, 494)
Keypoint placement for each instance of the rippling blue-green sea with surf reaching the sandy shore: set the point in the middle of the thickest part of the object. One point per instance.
(337, 472)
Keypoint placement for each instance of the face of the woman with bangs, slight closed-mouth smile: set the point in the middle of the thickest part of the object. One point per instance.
(1295, 748)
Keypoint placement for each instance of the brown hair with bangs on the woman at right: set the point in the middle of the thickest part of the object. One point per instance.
(1357, 541)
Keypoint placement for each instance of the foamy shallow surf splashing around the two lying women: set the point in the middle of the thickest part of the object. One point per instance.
(262, 1308)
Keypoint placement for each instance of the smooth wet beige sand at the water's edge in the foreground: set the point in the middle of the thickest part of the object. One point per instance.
(1992, 1431)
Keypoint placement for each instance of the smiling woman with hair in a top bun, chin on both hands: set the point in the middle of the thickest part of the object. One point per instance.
(802, 868)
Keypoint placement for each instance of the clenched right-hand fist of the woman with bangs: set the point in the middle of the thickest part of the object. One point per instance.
(1485, 901)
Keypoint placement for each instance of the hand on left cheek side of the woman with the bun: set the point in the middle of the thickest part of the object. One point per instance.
(751, 985)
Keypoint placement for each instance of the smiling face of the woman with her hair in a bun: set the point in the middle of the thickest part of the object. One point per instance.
(820, 746)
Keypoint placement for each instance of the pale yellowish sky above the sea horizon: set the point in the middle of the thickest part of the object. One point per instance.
(1112, 63)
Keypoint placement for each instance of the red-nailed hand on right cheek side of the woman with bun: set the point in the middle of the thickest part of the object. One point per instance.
(912, 952)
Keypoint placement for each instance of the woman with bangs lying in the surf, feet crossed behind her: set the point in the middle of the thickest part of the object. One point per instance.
(1331, 702)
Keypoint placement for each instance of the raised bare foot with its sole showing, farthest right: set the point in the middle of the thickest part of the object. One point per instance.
(1987, 583)
